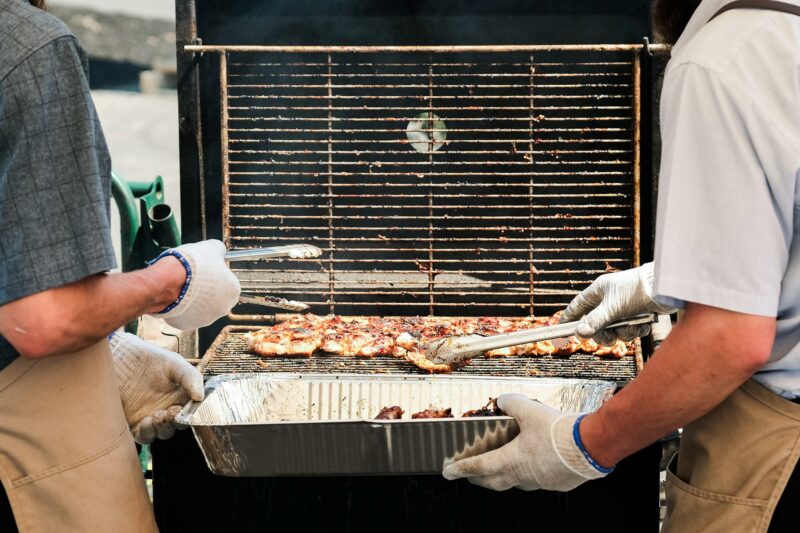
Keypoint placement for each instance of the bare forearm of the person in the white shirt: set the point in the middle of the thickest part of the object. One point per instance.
(693, 371)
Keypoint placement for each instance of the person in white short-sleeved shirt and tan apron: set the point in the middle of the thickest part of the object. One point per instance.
(728, 254)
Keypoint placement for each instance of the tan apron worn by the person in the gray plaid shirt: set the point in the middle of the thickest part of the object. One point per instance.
(67, 458)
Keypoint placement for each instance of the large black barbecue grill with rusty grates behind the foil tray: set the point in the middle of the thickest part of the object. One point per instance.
(439, 179)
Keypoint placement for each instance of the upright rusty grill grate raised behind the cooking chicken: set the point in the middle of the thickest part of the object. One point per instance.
(474, 181)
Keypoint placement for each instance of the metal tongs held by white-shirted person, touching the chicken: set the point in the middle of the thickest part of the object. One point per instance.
(455, 350)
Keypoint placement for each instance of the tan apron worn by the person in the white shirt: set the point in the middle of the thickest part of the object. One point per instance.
(733, 464)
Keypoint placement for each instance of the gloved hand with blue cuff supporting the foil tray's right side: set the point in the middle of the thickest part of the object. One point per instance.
(544, 455)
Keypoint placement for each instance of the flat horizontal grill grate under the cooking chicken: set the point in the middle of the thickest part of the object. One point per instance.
(229, 354)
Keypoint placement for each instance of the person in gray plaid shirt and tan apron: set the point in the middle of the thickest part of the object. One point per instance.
(73, 394)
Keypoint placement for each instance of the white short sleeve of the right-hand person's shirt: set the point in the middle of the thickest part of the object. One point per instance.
(725, 213)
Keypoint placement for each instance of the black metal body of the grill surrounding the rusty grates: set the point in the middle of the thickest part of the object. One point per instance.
(187, 496)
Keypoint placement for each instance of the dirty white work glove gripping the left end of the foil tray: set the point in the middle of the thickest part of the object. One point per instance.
(154, 384)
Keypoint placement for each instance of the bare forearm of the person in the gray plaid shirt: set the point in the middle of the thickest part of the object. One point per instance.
(77, 315)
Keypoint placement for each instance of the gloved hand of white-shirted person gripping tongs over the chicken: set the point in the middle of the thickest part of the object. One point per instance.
(613, 297)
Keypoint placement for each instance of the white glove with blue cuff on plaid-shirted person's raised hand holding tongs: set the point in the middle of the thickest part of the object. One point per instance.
(211, 289)
